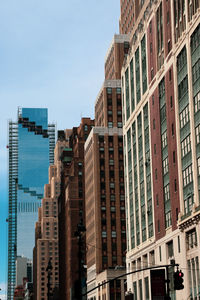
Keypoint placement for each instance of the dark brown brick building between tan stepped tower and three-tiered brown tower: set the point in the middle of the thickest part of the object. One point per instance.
(72, 212)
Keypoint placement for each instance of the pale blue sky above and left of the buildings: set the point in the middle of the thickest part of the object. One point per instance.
(51, 55)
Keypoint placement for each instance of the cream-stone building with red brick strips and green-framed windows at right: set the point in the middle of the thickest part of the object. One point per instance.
(161, 125)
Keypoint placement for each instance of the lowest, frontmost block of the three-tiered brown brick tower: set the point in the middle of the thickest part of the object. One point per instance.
(105, 209)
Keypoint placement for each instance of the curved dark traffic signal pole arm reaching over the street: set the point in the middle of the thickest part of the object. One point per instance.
(136, 271)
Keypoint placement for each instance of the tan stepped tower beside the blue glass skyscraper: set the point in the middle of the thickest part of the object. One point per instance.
(46, 232)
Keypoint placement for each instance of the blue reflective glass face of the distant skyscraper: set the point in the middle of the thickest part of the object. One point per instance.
(33, 163)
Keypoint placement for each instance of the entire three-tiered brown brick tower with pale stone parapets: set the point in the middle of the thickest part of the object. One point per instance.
(104, 183)
